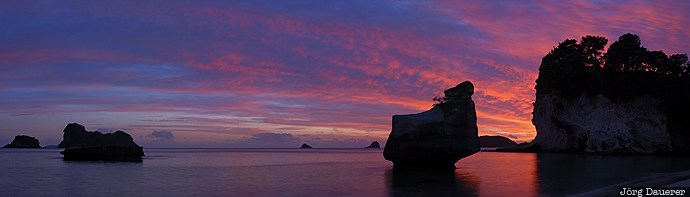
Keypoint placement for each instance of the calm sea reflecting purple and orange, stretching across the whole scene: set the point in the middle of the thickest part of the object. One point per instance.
(316, 172)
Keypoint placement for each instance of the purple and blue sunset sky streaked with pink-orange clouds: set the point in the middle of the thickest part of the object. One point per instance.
(282, 73)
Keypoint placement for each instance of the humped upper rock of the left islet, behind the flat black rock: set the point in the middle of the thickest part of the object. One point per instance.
(75, 135)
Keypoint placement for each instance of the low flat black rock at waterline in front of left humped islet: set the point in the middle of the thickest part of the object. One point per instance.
(104, 153)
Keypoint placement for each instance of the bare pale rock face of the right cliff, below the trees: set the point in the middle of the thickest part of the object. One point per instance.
(595, 124)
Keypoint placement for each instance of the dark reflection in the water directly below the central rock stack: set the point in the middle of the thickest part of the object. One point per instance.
(431, 183)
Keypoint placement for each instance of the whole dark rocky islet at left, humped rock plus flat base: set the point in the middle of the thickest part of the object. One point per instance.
(80, 144)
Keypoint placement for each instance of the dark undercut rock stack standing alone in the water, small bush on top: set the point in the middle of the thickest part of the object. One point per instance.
(435, 139)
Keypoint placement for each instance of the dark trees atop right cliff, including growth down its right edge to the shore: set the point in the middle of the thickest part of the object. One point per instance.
(629, 72)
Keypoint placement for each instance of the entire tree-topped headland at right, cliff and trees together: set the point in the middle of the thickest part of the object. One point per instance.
(630, 106)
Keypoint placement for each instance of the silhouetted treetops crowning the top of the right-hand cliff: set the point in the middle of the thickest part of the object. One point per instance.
(573, 68)
